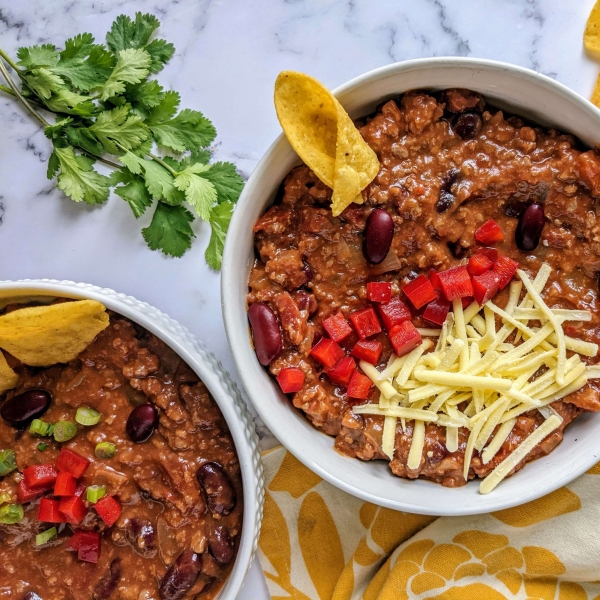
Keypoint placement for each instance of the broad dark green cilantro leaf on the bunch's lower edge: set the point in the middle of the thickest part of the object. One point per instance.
(170, 230)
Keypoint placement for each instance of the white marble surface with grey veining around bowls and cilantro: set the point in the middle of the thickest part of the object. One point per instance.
(228, 55)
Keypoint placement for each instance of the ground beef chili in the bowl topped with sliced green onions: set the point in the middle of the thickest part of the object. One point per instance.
(179, 492)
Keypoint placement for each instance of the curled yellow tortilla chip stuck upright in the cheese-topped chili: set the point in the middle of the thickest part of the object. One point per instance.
(325, 138)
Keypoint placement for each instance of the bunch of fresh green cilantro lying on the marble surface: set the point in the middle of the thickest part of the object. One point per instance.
(105, 103)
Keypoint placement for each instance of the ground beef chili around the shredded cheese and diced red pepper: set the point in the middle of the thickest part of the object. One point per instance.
(449, 163)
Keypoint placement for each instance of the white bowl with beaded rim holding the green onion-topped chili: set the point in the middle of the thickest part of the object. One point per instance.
(210, 371)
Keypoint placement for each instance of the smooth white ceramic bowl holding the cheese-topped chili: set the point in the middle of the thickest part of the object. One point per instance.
(507, 86)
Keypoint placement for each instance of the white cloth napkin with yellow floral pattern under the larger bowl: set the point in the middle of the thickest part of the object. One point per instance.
(319, 543)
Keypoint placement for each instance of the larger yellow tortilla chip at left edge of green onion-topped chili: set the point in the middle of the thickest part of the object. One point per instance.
(45, 335)
